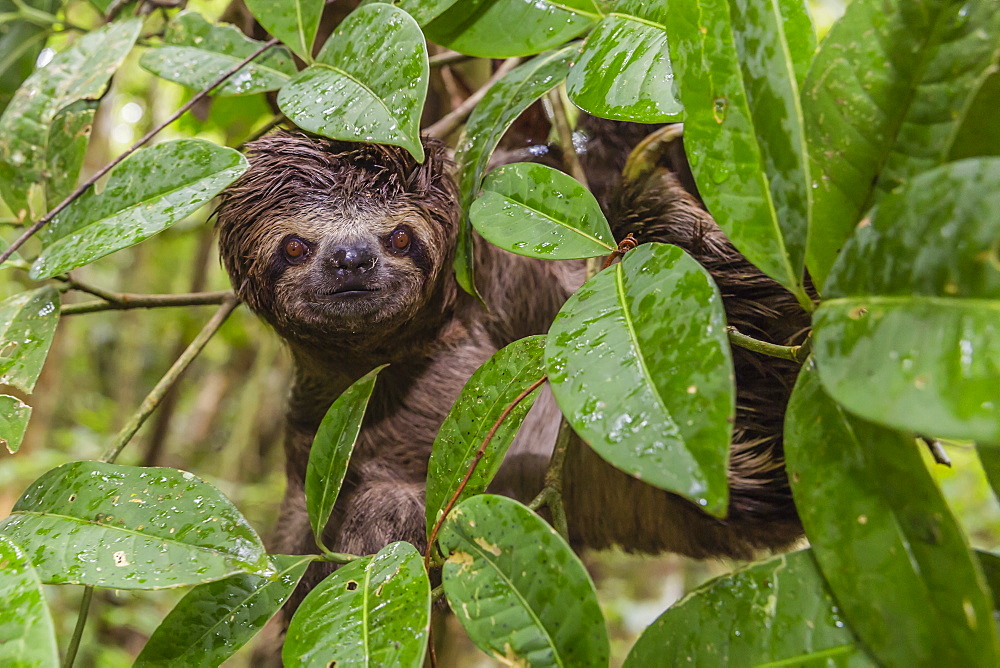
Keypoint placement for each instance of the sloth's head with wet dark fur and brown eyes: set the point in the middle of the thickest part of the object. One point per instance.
(338, 244)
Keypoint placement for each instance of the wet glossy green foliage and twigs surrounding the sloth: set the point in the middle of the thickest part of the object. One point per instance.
(852, 167)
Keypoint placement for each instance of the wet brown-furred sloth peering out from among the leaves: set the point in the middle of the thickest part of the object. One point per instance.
(345, 249)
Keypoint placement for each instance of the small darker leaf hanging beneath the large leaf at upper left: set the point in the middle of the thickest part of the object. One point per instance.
(68, 139)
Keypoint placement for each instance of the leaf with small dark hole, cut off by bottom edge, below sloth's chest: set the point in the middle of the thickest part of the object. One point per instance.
(374, 611)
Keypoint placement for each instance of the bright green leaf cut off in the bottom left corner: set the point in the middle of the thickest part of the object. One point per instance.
(27, 636)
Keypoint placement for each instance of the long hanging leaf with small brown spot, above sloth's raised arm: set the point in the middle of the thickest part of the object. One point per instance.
(743, 128)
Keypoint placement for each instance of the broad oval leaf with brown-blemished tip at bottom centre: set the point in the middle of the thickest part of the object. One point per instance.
(518, 589)
